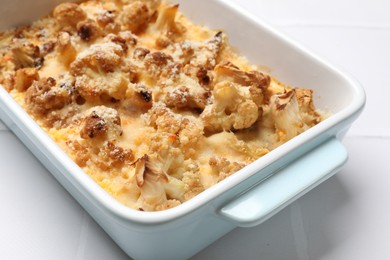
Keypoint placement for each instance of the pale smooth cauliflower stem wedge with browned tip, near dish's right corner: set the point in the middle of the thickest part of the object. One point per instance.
(286, 114)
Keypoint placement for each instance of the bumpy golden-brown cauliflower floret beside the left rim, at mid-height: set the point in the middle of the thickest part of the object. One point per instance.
(45, 95)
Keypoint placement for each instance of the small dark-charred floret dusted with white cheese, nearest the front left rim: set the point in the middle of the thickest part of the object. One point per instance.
(101, 122)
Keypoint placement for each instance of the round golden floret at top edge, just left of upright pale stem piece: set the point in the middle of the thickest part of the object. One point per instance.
(135, 16)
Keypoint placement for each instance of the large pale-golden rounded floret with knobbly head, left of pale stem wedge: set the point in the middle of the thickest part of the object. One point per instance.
(232, 108)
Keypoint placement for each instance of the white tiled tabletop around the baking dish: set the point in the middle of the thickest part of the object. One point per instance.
(346, 217)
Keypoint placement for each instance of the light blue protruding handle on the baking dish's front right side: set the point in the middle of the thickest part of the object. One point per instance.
(286, 185)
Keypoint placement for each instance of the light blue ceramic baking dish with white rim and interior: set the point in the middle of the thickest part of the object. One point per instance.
(245, 199)
